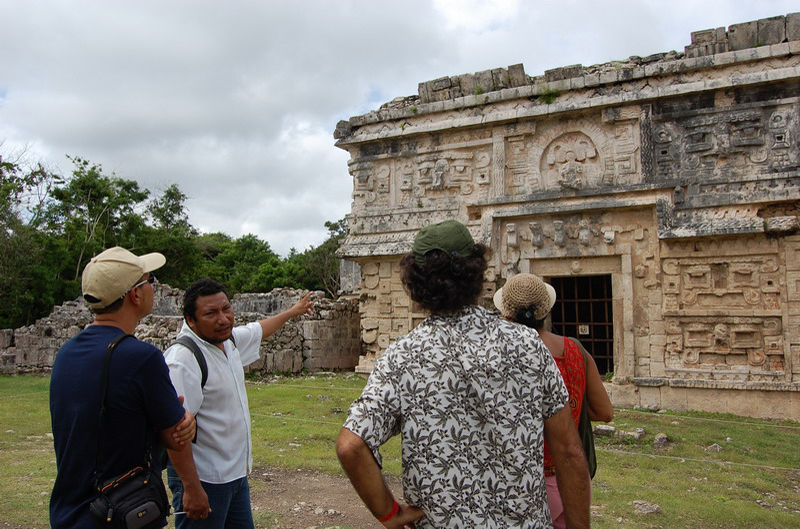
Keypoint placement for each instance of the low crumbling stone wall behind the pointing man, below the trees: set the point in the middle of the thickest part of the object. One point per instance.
(327, 340)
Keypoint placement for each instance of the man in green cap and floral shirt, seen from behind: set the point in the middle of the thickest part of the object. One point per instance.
(474, 397)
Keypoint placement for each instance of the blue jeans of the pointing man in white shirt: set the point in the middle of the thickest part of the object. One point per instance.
(230, 504)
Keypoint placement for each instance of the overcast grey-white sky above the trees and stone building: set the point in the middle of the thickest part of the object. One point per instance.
(236, 101)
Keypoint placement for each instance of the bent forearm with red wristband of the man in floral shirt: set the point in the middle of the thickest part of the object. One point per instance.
(366, 477)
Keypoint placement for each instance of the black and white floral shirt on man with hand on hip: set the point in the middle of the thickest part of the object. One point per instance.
(469, 393)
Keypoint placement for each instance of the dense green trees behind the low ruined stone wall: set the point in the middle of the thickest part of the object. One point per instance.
(50, 226)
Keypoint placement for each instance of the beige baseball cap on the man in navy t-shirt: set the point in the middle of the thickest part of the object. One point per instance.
(112, 273)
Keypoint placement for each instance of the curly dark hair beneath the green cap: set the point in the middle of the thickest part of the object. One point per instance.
(446, 283)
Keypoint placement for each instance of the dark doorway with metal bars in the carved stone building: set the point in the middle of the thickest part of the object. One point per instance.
(583, 310)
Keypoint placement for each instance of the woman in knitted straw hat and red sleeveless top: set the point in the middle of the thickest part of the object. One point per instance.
(528, 300)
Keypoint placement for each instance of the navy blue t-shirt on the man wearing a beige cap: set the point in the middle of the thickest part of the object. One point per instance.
(140, 398)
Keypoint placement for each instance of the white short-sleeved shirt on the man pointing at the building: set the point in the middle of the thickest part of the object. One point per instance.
(224, 449)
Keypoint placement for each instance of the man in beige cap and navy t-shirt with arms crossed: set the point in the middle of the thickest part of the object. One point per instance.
(142, 406)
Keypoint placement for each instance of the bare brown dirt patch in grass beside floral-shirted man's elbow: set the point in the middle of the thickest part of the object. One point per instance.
(305, 499)
